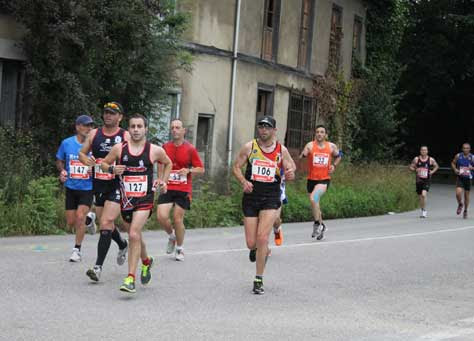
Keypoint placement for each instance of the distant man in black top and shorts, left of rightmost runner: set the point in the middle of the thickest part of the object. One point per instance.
(424, 166)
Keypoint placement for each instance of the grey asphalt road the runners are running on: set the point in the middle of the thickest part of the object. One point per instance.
(392, 277)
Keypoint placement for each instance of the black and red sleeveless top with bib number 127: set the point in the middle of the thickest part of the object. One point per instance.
(138, 175)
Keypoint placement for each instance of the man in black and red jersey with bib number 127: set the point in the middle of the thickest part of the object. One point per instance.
(135, 159)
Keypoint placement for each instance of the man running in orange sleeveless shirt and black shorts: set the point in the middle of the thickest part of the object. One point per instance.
(322, 161)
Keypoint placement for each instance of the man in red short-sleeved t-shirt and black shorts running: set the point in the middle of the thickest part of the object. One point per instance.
(186, 161)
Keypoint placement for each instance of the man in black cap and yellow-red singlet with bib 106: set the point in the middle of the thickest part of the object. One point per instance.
(263, 157)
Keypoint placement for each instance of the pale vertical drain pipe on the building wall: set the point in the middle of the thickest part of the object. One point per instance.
(232, 84)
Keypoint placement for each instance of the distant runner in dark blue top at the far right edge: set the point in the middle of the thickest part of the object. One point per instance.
(462, 165)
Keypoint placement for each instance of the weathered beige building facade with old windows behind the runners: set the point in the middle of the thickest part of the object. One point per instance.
(256, 57)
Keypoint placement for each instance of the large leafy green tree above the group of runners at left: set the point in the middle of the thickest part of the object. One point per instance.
(84, 53)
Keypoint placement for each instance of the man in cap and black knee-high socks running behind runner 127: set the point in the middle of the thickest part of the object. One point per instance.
(105, 186)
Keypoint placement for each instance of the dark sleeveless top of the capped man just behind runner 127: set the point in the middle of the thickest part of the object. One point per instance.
(101, 146)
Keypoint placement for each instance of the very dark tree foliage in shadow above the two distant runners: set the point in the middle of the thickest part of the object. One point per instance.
(438, 51)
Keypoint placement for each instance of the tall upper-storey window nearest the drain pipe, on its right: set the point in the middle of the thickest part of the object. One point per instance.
(271, 24)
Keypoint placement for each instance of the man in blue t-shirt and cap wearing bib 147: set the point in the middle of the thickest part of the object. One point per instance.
(78, 182)
